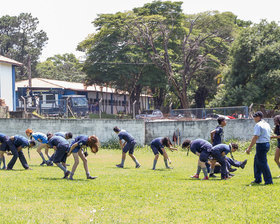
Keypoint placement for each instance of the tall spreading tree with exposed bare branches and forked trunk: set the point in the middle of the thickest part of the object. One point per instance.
(181, 45)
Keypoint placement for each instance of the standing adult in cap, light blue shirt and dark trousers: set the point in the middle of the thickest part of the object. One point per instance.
(261, 138)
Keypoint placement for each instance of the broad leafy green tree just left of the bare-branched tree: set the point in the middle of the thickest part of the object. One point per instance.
(112, 60)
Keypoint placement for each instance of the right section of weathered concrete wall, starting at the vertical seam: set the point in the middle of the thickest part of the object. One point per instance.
(235, 129)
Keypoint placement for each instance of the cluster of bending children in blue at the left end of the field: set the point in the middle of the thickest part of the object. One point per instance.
(58, 141)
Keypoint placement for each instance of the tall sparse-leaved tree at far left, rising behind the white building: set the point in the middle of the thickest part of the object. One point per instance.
(20, 39)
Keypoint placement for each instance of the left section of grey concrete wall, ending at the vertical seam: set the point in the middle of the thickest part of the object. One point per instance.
(102, 128)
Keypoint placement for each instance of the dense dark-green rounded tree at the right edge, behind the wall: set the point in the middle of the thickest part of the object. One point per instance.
(254, 69)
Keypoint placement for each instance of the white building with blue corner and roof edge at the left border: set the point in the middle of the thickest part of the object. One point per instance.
(7, 81)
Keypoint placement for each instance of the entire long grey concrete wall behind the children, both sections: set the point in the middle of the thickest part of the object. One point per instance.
(143, 132)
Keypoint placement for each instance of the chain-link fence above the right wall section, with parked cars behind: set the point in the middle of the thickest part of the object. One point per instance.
(211, 113)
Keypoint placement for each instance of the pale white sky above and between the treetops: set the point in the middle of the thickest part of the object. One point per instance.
(68, 22)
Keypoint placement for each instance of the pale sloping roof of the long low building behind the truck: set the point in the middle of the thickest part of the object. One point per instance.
(76, 86)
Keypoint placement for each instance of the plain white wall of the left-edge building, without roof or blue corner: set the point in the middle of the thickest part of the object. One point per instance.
(6, 84)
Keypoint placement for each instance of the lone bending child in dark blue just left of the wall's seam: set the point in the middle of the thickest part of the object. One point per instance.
(127, 146)
